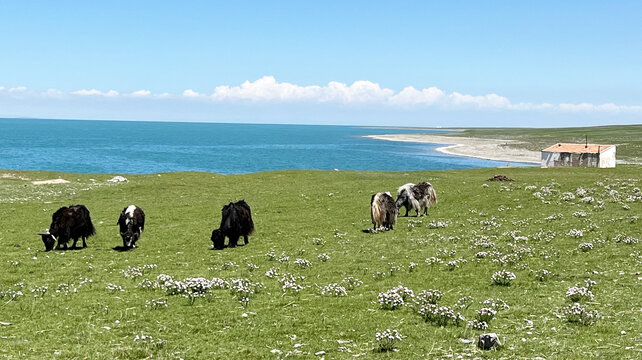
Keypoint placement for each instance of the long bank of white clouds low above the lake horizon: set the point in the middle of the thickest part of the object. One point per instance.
(267, 90)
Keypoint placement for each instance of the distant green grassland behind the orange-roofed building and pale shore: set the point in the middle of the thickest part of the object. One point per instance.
(628, 138)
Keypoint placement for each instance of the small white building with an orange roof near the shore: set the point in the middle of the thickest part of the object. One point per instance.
(579, 155)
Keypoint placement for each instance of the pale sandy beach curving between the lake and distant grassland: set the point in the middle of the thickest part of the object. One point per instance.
(491, 149)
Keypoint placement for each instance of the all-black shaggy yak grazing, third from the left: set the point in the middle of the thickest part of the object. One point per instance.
(236, 221)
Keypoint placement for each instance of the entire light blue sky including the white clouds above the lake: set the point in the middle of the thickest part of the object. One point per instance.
(389, 63)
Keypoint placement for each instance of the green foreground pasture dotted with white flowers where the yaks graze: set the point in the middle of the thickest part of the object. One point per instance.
(98, 303)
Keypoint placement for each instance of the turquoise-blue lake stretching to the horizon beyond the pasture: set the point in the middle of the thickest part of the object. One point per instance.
(130, 147)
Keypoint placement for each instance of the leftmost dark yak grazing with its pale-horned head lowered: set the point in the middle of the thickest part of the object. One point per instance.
(71, 222)
